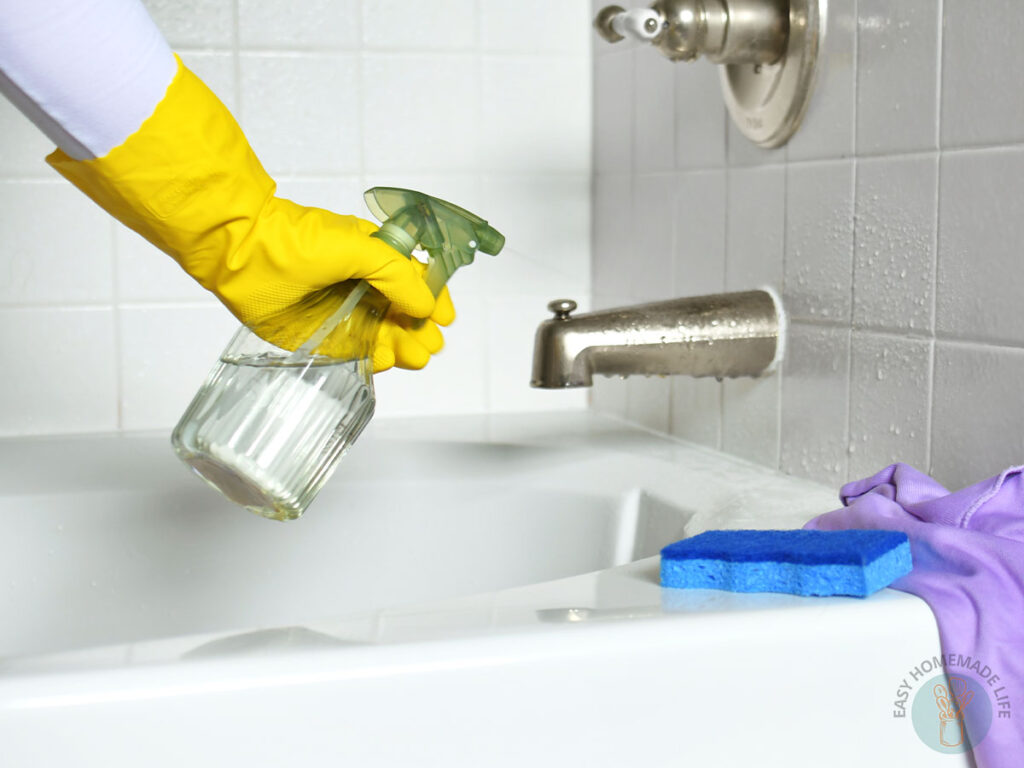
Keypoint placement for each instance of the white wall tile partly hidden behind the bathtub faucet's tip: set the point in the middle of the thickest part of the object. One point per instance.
(511, 325)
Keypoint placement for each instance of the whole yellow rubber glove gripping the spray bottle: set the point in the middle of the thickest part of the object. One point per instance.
(190, 184)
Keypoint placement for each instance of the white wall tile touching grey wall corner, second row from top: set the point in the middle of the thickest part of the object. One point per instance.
(516, 92)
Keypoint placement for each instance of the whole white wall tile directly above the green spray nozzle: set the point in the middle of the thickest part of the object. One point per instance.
(422, 113)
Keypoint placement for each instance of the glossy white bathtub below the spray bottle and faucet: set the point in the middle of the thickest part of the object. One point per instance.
(472, 591)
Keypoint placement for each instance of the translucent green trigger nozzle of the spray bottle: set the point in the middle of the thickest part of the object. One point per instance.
(450, 235)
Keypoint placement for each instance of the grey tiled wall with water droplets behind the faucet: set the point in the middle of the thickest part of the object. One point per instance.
(892, 225)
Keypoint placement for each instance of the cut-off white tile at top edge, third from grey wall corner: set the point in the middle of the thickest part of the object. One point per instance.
(312, 24)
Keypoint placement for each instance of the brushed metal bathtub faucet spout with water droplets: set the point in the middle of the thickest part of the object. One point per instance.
(721, 335)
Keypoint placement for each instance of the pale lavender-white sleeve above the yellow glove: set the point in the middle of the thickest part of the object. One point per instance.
(88, 73)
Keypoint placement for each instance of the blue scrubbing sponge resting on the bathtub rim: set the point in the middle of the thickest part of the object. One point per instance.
(799, 563)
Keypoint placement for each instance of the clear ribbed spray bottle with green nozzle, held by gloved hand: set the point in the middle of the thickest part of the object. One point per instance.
(289, 397)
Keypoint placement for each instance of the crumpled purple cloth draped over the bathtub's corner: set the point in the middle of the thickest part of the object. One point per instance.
(968, 550)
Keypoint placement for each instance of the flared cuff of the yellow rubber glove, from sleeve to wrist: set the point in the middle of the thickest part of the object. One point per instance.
(178, 178)
